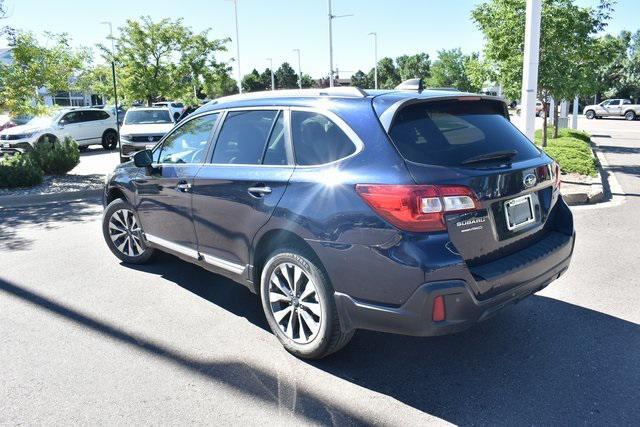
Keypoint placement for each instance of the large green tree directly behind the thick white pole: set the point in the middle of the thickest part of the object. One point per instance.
(566, 46)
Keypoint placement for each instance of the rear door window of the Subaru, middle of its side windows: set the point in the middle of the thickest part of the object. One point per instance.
(243, 137)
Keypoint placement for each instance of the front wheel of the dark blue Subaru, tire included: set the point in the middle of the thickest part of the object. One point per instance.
(123, 233)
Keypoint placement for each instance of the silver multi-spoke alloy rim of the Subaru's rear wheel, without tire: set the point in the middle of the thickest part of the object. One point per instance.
(294, 303)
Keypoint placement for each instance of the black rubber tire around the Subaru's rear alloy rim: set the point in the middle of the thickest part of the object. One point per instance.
(330, 337)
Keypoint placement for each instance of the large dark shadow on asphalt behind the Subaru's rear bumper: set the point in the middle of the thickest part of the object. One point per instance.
(542, 362)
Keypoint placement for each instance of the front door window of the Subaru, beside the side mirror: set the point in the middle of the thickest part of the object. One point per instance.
(188, 143)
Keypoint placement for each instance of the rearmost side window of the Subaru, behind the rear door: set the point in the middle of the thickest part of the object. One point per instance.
(318, 140)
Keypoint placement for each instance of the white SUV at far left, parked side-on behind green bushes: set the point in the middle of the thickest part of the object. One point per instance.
(87, 126)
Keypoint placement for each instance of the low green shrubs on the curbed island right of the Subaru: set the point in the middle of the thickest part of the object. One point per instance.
(571, 150)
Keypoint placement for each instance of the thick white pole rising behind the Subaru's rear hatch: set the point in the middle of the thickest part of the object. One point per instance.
(530, 66)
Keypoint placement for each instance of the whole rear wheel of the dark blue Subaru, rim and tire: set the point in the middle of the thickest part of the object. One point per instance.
(298, 302)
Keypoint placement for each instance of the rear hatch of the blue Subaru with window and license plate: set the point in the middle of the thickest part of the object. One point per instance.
(469, 141)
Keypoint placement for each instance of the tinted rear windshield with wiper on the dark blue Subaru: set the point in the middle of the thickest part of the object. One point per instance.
(446, 133)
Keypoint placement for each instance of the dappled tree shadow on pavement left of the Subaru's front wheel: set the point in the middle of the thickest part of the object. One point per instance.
(46, 216)
